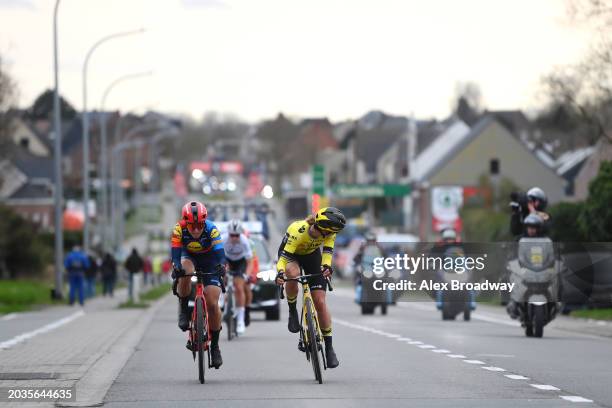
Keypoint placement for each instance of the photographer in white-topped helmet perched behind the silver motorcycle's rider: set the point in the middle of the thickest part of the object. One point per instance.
(523, 205)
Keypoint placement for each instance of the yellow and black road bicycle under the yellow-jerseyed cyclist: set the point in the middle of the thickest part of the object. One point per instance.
(311, 338)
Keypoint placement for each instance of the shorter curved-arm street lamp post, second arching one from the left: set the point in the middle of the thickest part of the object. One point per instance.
(104, 155)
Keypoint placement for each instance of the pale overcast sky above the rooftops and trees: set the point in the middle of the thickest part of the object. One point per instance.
(255, 58)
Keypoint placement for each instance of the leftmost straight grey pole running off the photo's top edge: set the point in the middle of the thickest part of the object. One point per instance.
(58, 189)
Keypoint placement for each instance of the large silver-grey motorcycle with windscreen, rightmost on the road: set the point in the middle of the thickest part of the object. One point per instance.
(536, 275)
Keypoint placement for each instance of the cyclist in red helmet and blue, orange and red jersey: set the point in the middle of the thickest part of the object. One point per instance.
(196, 244)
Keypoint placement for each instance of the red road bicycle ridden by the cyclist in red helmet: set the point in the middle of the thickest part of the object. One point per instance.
(198, 340)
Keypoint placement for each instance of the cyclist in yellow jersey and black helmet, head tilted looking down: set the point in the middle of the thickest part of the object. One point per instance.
(301, 248)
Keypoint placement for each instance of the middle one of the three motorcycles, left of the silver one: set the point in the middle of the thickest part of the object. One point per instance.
(453, 302)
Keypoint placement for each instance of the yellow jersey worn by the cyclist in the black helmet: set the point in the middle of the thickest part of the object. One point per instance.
(298, 241)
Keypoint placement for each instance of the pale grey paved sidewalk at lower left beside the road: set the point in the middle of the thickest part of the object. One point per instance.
(98, 334)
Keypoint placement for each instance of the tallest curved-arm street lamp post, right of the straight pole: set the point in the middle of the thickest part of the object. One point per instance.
(86, 131)
